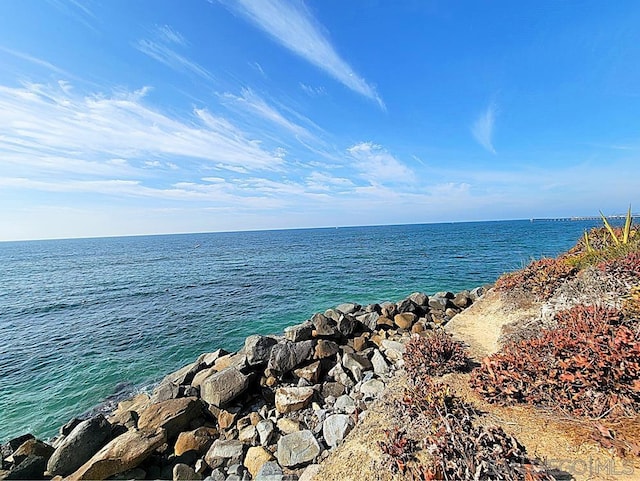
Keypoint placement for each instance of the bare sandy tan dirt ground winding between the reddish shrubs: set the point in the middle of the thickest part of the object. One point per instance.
(564, 444)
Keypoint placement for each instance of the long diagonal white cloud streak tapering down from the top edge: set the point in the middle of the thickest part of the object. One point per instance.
(294, 27)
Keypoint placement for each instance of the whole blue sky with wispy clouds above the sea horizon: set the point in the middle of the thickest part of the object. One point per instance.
(128, 117)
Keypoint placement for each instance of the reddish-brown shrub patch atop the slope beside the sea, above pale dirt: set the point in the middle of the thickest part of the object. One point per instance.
(540, 278)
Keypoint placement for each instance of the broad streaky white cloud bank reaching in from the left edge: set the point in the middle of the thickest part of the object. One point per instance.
(44, 125)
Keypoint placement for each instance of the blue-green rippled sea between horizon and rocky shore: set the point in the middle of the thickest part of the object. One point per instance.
(83, 320)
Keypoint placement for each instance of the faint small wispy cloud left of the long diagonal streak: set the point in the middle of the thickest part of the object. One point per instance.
(161, 48)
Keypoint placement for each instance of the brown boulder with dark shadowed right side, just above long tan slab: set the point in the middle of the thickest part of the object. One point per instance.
(173, 415)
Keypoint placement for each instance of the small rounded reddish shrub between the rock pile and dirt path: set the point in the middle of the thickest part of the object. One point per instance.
(435, 354)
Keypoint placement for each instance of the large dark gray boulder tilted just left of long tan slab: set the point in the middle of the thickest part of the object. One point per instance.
(84, 441)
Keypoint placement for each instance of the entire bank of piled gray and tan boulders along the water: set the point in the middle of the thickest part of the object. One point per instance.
(270, 411)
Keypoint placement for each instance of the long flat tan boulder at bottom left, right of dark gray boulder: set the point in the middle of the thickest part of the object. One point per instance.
(125, 452)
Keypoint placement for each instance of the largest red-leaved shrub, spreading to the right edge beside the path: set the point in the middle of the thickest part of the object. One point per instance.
(589, 365)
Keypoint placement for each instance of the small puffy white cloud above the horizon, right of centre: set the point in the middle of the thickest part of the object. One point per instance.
(378, 166)
